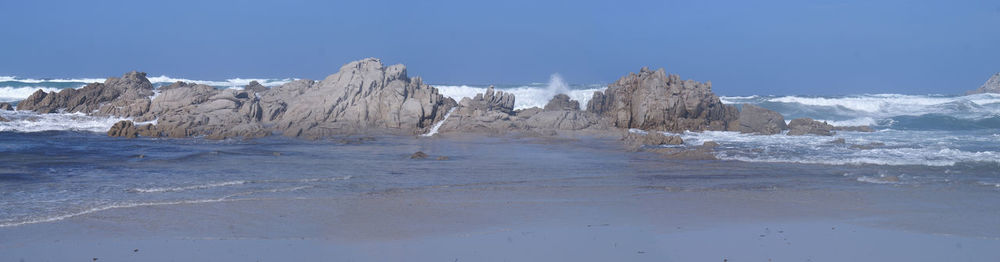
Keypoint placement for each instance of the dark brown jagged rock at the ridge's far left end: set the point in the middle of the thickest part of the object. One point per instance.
(127, 96)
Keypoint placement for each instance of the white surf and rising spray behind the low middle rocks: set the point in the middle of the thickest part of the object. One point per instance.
(525, 96)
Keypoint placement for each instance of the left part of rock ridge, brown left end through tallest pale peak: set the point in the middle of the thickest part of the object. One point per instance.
(364, 95)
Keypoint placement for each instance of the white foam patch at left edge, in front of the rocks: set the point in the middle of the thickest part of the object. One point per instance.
(23, 121)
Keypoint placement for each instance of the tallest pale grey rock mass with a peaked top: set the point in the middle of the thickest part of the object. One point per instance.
(364, 95)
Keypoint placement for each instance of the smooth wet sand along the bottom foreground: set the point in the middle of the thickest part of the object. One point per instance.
(513, 222)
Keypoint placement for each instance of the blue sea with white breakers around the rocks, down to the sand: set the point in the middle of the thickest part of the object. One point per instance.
(58, 166)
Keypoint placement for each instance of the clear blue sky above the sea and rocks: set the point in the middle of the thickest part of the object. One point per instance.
(743, 47)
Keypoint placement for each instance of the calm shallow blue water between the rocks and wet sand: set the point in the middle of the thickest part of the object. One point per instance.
(51, 176)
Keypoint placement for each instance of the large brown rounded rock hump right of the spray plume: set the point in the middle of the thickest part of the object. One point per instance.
(651, 100)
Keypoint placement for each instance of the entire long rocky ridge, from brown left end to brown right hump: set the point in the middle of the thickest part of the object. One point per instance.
(366, 96)
